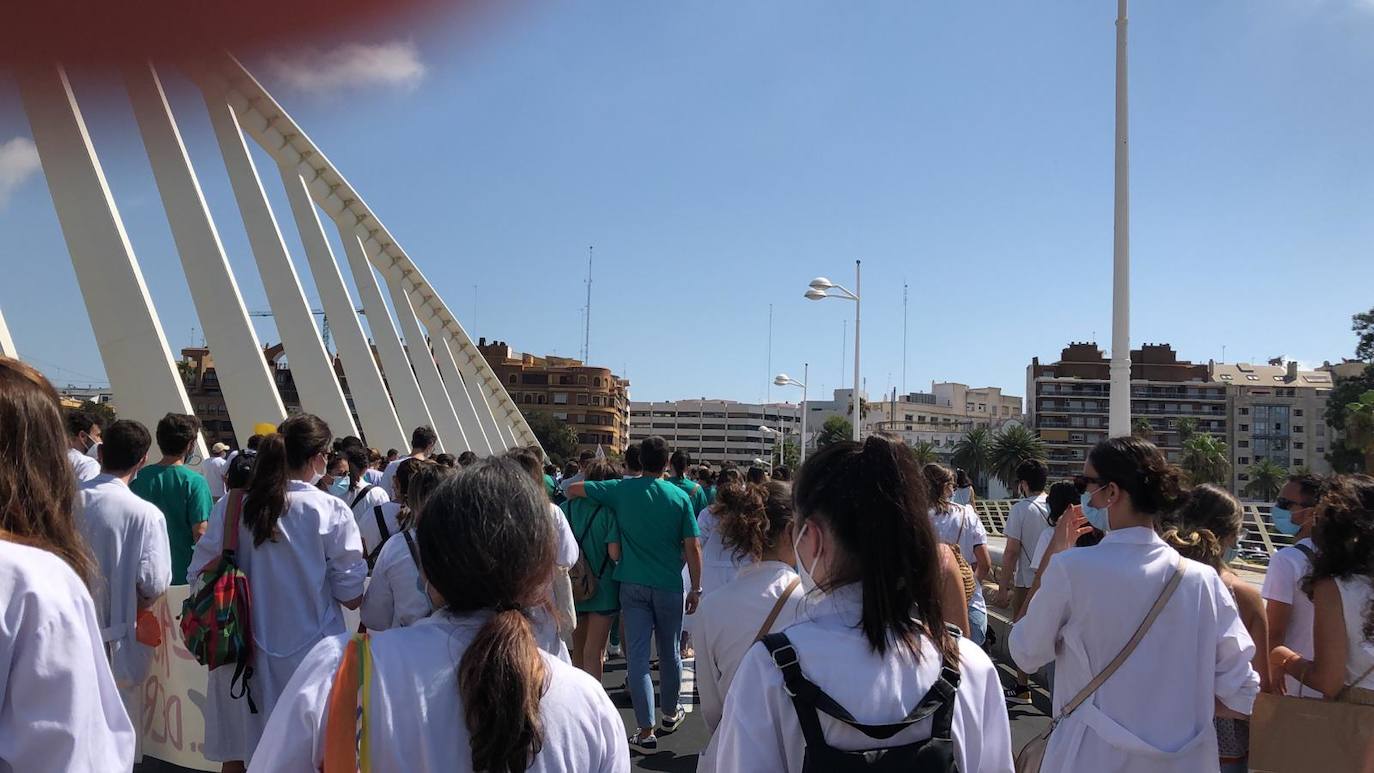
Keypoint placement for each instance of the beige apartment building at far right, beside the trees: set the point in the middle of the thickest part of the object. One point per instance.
(1277, 414)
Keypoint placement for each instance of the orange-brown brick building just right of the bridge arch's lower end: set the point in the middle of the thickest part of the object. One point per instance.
(593, 400)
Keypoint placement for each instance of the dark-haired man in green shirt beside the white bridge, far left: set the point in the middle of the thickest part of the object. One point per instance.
(179, 492)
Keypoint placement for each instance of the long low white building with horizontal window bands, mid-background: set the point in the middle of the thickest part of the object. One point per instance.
(721, 432)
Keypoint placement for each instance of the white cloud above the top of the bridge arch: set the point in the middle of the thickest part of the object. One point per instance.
(351, 67)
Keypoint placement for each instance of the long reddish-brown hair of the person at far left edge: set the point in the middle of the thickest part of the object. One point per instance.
(38, 487)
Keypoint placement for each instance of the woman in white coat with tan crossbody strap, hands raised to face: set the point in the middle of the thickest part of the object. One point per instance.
(1192, 660)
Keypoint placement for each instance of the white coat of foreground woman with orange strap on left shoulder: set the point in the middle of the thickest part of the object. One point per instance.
(417, 716)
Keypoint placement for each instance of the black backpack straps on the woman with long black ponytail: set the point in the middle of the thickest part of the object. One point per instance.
(807, 700)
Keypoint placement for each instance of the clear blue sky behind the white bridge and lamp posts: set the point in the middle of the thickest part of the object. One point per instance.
(722, 154)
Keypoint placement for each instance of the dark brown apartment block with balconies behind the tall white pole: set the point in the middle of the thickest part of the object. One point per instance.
(1068, 400)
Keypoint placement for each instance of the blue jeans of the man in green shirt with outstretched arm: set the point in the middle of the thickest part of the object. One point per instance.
(652, 613)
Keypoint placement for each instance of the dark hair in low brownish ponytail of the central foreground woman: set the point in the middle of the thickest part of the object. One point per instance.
(487, 546)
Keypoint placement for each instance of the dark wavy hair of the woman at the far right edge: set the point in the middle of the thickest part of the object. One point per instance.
(1344, 536)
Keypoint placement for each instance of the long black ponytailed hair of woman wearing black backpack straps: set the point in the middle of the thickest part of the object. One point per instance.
(873, 499)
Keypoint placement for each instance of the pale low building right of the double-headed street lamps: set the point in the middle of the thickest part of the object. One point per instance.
(943, 415)
